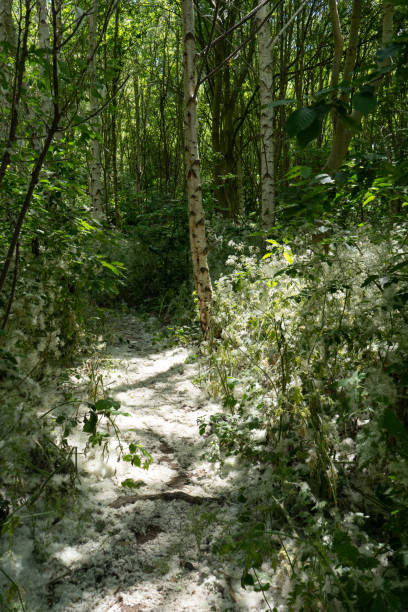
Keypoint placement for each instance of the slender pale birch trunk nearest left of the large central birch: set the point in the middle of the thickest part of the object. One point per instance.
(95, 184)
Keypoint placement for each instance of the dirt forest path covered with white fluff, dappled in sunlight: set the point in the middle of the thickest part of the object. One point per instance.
(136, 550)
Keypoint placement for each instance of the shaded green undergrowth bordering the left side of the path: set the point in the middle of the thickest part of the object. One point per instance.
(51, 319)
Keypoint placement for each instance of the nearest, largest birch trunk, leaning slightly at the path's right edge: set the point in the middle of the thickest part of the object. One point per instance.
(198, 240)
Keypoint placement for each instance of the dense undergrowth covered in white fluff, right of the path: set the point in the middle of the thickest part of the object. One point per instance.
(310, 357)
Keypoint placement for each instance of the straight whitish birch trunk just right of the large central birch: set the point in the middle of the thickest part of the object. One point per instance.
(266, 119)
